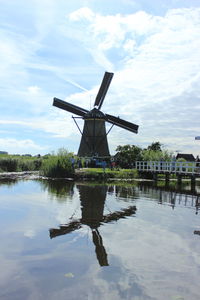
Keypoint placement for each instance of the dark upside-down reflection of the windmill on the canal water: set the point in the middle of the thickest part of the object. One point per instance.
(92, 199)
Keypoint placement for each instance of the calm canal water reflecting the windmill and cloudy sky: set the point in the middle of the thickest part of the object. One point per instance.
(64, 240)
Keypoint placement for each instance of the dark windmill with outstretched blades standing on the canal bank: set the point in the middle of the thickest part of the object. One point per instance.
(94, 136)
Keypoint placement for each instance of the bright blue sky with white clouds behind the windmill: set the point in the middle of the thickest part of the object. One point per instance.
(62, 48)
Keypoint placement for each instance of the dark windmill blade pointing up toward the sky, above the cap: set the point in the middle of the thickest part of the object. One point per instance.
(103, 89)
